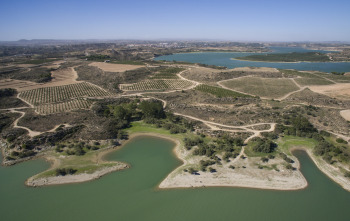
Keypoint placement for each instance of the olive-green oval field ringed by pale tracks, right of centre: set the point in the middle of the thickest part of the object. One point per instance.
(262, 87)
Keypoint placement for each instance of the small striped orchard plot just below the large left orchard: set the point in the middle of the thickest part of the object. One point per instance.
(64, 106)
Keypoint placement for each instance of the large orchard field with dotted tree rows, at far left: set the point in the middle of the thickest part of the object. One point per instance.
(61, 93)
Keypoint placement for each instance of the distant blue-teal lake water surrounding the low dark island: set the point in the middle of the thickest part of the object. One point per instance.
(225, 59)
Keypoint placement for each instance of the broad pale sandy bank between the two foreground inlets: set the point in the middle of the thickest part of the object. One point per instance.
(246, 174)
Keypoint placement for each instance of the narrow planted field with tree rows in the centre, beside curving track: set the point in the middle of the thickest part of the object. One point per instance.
(151, 85)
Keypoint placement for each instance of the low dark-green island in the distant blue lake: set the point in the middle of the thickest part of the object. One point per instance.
(288, 57)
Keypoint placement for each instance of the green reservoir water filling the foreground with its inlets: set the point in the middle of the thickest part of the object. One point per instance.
(132, 195)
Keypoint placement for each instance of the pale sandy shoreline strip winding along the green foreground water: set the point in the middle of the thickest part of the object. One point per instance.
(294, 182)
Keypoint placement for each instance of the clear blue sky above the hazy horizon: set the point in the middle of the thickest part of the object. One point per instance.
(244, 20)
